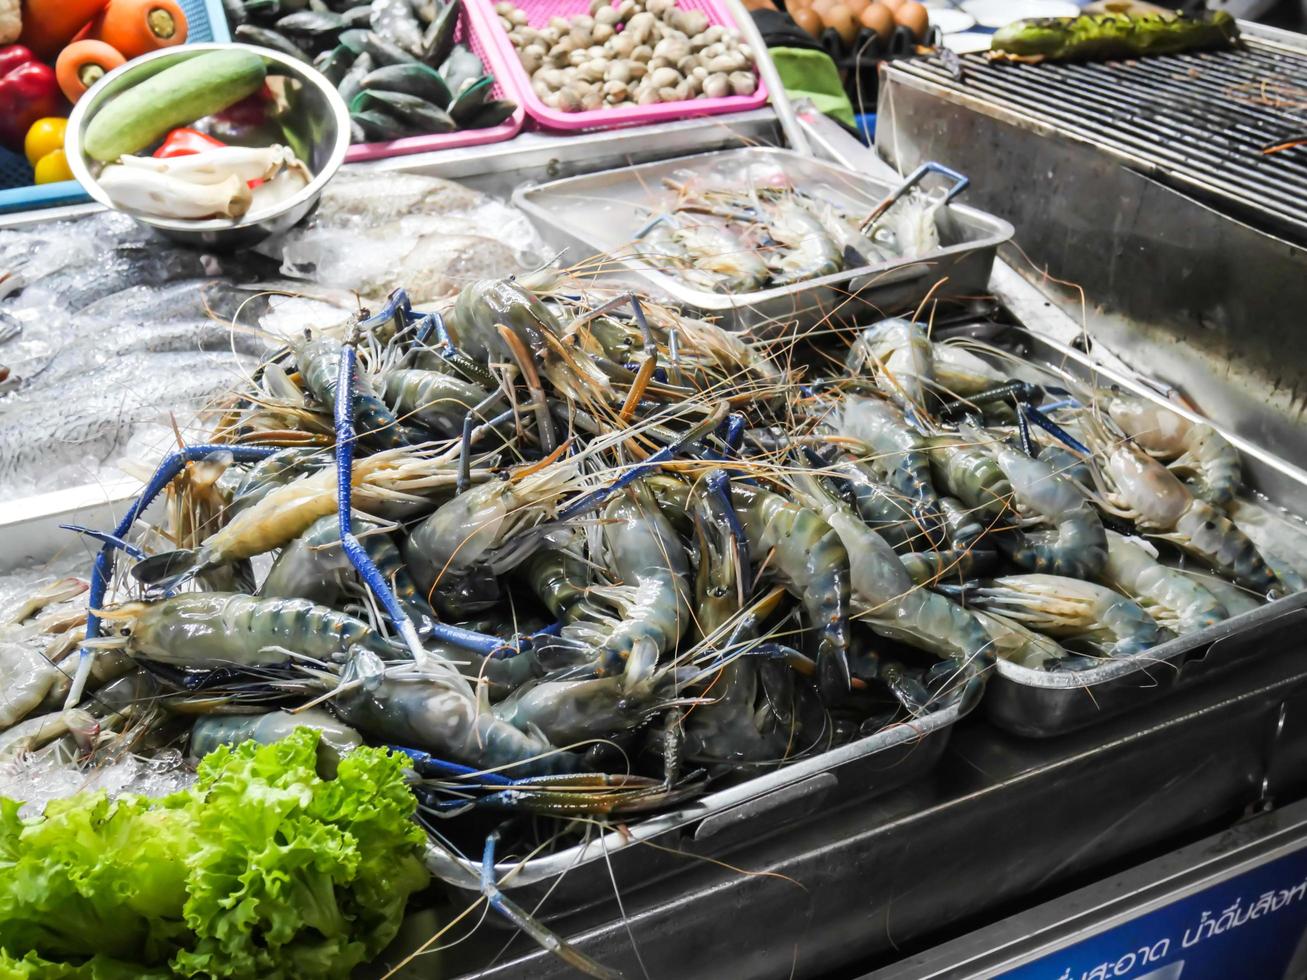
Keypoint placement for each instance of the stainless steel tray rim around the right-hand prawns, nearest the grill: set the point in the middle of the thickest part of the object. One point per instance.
(1040, 704)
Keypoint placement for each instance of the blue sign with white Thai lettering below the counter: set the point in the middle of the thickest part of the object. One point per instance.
(1246, 928)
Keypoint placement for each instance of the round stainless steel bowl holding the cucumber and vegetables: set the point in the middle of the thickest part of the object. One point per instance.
(317, 123)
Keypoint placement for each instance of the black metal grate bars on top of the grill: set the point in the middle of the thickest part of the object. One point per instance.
(1198, 121)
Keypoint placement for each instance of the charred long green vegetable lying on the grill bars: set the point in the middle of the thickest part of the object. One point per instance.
(1102, 37)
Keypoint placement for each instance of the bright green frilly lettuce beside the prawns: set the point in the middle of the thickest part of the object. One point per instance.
(262, 870)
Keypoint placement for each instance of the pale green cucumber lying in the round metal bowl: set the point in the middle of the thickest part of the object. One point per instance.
(177, 96)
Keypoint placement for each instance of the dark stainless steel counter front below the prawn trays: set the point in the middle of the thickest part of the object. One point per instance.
(1003, 825)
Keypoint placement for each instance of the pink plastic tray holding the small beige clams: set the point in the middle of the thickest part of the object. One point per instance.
(539, 14)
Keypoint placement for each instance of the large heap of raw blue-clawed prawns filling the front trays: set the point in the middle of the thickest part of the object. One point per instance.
(582, 557)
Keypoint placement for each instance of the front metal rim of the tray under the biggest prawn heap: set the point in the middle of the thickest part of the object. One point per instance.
(717, 824)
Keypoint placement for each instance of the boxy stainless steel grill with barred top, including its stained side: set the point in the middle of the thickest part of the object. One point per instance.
(1143, 182)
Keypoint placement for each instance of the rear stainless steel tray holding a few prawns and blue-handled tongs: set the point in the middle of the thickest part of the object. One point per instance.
(601, 214)
